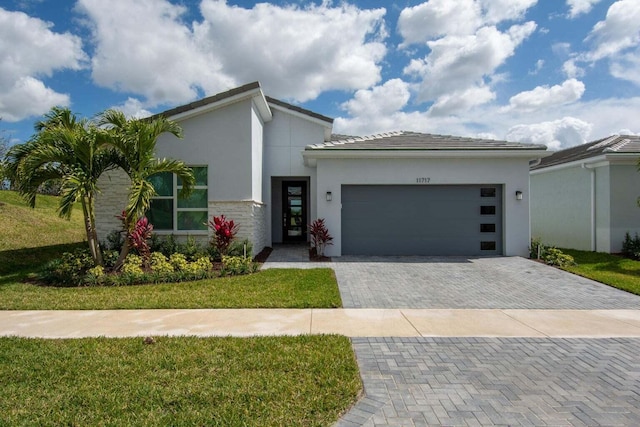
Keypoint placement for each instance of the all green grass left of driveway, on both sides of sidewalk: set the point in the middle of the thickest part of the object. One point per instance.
(262, 381)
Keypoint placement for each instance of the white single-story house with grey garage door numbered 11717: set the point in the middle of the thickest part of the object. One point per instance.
(274, 167)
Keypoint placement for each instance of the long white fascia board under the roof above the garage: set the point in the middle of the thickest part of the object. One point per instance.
(311, 156)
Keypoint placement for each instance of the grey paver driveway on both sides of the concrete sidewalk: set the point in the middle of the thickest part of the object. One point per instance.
(487, 381)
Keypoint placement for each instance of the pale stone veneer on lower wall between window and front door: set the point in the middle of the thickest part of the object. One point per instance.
(251, 217)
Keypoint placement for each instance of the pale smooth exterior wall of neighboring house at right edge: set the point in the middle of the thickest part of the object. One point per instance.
(561, 206)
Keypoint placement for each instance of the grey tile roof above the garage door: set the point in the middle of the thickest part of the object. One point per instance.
(405, 140)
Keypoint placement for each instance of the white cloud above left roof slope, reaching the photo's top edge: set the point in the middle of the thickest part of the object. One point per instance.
(158, 59)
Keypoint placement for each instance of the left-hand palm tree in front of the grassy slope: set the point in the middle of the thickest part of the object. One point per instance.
(69, 150)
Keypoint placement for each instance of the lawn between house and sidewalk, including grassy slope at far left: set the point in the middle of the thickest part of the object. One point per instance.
(34, 237)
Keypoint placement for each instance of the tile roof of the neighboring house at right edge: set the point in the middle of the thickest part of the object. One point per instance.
(616, 144)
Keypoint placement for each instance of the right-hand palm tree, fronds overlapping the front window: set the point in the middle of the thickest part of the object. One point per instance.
(134, 141)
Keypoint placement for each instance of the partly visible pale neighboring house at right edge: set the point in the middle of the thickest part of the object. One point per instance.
(585, 197)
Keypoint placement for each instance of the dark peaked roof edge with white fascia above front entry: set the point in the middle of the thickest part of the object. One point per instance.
(253, 88)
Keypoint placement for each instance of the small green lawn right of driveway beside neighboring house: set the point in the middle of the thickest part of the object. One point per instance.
(612, 270)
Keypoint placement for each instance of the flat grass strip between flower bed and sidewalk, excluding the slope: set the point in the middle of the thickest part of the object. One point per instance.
(278, 288)
